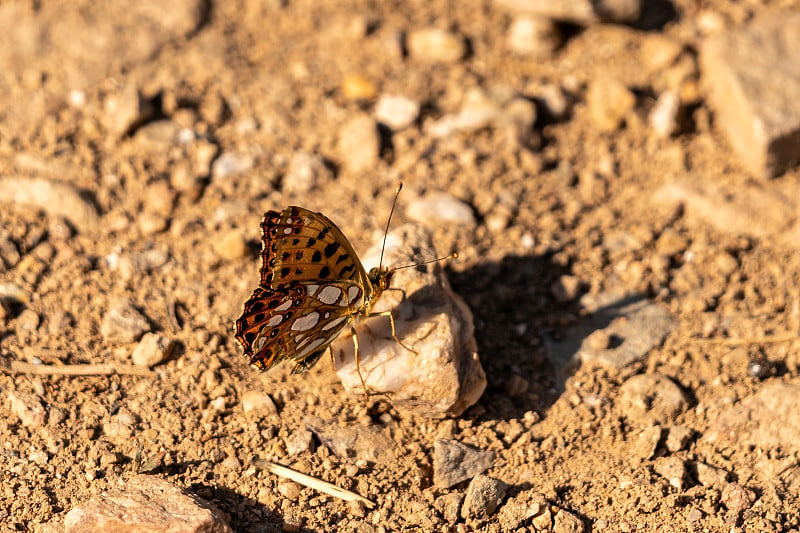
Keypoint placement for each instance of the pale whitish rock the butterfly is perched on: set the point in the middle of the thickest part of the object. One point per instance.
(444, 377)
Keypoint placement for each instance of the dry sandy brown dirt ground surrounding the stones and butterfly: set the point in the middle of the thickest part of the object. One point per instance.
(178, 125)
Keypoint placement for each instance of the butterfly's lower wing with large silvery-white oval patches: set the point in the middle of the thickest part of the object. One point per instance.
(297, 321)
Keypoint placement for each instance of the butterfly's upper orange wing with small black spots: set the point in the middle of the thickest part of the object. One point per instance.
(303, 245)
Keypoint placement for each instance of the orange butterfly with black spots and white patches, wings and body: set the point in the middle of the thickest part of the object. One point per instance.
(312, 287)
